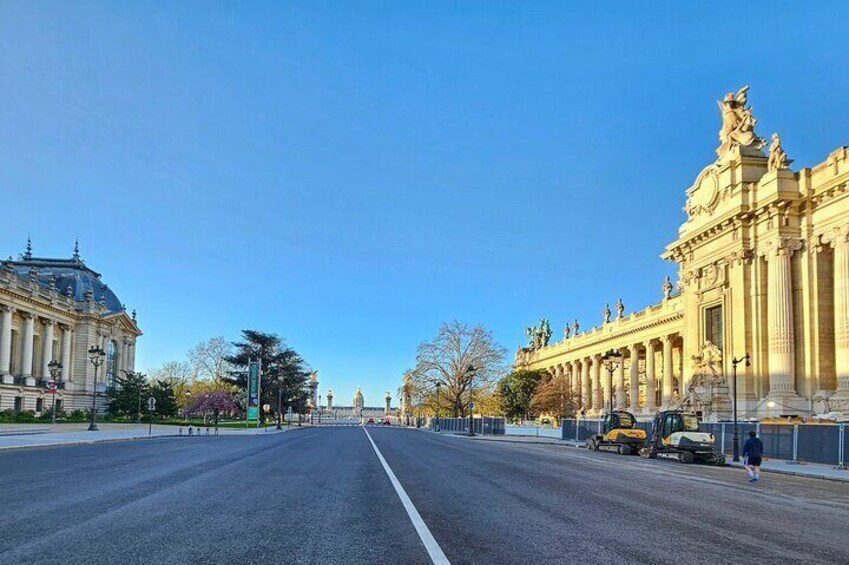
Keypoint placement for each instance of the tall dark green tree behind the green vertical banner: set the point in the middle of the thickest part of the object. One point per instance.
(284, 371)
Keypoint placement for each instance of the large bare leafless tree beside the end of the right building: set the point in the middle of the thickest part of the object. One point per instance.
(459, 358)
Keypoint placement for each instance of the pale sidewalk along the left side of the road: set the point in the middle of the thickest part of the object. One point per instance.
(76, 434)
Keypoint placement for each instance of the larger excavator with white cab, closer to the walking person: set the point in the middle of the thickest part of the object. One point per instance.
(675, 435)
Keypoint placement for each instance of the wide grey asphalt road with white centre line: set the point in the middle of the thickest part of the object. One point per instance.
(321, 495)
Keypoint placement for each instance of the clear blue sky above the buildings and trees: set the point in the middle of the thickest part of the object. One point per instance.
(352, 174)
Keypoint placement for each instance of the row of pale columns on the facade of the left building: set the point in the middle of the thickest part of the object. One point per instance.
(28, 346)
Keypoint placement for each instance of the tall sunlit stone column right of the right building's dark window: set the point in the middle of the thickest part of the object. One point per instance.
(780, 317)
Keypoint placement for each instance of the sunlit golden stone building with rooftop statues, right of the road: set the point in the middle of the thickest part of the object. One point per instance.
(763, 268)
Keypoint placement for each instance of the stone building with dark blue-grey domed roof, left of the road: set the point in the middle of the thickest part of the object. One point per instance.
(55, 310)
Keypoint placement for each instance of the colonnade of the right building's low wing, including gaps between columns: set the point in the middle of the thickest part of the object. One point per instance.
(595, 389)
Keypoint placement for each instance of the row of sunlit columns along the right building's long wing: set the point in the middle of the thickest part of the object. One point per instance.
(592, 383)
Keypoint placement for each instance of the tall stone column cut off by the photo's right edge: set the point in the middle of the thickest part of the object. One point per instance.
(840, 239)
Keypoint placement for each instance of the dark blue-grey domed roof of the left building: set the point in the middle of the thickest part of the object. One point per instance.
(70, 277)
